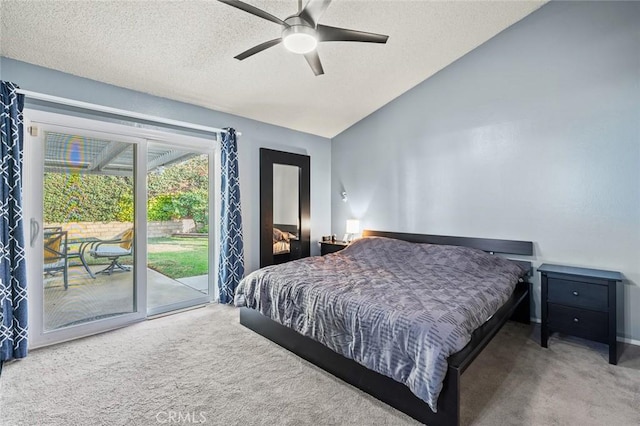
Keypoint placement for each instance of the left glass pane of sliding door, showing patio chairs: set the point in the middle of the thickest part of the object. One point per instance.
(87, 228)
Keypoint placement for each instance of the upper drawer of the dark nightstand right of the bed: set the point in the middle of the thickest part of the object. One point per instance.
(578, 294)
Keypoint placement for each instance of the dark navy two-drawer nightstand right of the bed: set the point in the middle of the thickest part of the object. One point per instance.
(580, 302)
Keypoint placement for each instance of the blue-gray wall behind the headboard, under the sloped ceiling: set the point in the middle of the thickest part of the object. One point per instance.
(535, 135)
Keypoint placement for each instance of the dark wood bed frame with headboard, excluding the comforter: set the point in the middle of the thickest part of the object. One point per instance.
(384, 388)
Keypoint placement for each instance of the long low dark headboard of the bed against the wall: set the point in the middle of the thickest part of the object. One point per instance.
(512, 247)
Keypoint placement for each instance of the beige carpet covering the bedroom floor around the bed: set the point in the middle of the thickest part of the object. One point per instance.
(202, 365)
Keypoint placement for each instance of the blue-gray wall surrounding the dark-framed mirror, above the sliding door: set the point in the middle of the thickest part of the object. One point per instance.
(254, 136)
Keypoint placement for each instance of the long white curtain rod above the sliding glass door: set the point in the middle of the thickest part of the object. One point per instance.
(116, 111)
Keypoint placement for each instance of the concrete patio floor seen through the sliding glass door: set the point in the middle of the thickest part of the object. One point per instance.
(88, 299)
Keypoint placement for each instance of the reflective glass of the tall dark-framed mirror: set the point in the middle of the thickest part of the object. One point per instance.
(286, 213)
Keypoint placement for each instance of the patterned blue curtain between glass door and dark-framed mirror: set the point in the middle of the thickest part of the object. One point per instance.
(231, 265)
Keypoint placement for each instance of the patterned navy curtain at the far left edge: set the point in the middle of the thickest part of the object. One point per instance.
(13, 282)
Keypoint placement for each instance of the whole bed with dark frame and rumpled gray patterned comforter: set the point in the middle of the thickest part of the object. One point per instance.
(312, 315)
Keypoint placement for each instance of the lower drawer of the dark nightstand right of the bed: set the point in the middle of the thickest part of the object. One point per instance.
(578, 322)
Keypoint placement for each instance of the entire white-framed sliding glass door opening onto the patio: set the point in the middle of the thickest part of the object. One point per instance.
(118, 225)
